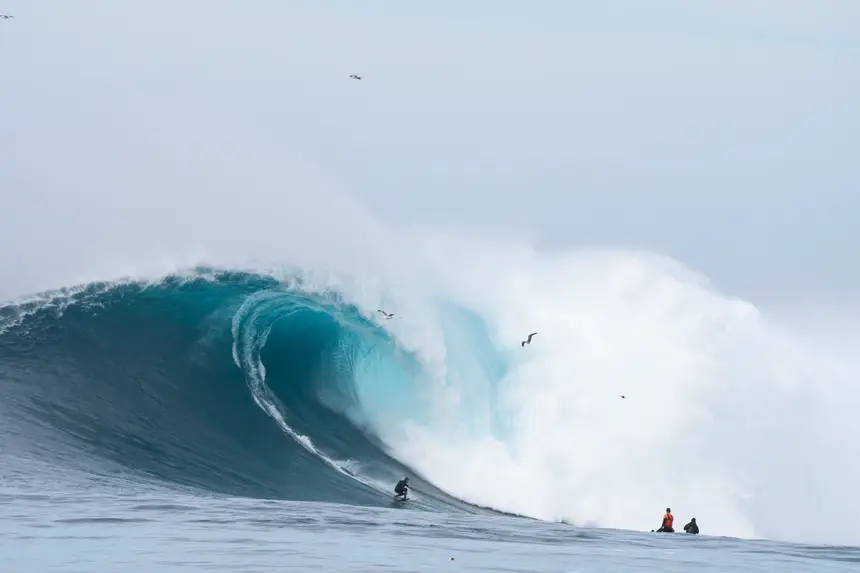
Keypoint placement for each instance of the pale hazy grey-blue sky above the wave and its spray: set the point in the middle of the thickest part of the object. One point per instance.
(722, 134)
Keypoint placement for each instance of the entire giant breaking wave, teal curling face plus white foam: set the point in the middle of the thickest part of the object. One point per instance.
(293, 386)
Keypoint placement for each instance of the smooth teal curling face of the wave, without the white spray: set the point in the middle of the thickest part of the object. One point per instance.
(231, 383)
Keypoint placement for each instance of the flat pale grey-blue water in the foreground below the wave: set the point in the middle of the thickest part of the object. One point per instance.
(107, 533)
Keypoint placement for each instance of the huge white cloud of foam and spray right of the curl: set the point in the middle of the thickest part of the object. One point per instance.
(727, 417)
